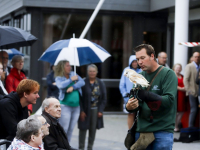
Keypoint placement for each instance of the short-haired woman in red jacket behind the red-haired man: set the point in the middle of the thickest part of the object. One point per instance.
(16, 75)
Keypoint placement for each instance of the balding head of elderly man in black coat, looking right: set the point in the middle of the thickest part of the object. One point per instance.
(52, 107)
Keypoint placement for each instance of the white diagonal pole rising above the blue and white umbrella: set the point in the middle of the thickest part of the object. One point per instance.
(91, 19)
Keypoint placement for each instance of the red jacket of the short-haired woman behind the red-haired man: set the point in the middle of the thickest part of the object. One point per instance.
(13, 80)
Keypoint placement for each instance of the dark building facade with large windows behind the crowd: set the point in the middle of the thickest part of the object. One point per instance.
(119, 27)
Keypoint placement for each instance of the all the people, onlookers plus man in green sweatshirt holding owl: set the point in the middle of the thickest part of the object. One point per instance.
(71, 100)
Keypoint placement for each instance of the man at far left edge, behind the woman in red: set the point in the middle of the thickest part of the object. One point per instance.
(4, 60)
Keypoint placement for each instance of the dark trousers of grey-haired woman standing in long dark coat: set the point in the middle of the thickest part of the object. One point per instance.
(92, 131)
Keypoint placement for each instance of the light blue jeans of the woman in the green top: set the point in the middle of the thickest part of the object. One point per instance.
(69, 118)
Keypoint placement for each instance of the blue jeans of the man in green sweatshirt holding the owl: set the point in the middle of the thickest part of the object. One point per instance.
(163, 141)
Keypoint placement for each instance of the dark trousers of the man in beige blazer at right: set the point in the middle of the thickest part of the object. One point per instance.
(193, 109)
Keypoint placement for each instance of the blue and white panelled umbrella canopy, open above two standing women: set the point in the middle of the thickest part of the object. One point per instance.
(77, 51)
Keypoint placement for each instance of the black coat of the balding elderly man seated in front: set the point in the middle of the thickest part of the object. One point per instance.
(57, 138)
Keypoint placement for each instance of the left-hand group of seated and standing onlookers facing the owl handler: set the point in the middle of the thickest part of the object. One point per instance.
(82, 101)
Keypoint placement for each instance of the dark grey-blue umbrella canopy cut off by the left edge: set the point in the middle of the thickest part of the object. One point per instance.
(14, 37)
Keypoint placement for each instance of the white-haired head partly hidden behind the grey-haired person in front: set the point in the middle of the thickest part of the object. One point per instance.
(45, 125)
